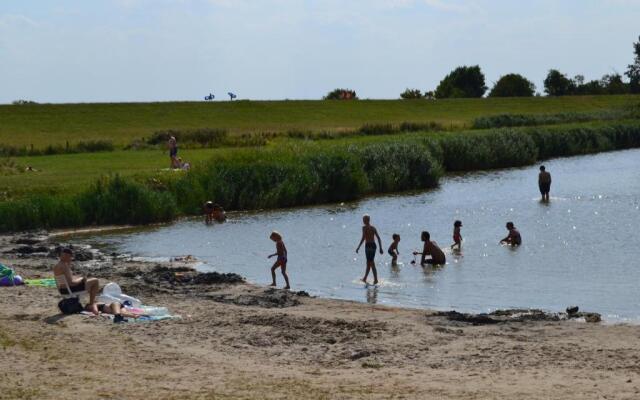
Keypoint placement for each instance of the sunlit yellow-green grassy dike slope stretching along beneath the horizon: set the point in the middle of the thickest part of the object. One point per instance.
(121, 123)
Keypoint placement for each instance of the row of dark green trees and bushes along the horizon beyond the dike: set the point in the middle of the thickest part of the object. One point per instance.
(469, 82)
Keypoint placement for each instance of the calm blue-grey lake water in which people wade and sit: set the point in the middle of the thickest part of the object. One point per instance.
(581, 248)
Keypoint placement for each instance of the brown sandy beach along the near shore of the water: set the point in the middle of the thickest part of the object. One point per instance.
(241, 341)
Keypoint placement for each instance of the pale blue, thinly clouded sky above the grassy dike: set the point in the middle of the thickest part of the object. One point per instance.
(157, 50)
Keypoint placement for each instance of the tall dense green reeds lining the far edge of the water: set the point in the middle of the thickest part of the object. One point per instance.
(299, 173)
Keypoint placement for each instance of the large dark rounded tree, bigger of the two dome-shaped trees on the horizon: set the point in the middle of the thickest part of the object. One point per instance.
(462, 82)
